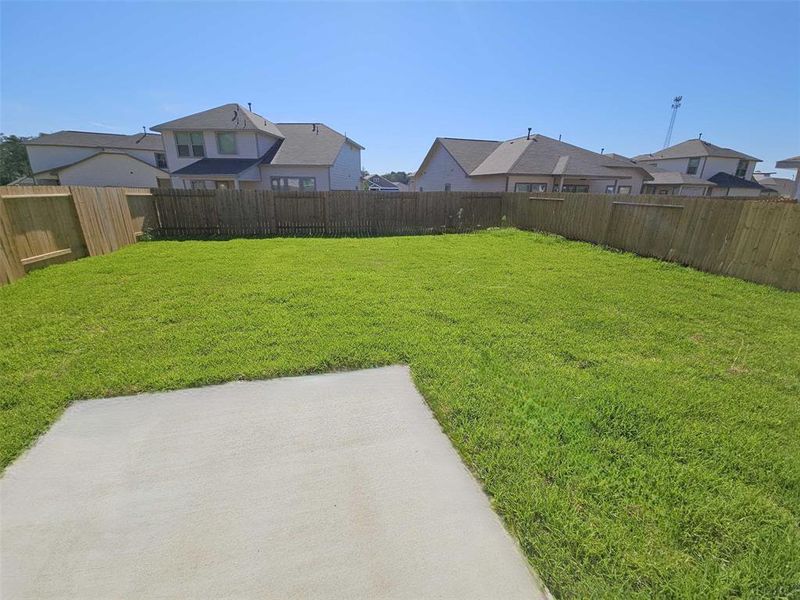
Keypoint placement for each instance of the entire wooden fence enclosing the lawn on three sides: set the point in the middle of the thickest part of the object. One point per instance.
(747, 238)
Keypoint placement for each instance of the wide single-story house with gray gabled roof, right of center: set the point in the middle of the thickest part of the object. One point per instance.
(532, 163)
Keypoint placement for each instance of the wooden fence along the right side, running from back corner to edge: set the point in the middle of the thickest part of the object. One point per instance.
(750, 239)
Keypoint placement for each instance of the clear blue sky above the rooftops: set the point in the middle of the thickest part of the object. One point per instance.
(393, 76)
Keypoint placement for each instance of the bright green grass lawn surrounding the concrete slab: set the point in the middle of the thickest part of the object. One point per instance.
(636, 423)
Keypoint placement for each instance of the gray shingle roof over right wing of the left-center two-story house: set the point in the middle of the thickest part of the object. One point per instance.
(308, 144)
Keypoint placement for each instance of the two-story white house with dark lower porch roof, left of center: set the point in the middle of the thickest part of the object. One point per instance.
(232, 147)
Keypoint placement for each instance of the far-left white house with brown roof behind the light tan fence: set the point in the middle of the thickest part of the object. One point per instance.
(97, 159)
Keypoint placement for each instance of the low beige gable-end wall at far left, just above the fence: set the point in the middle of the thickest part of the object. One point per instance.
(111, 170)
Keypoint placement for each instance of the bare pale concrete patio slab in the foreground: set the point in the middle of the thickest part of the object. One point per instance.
(329, 486)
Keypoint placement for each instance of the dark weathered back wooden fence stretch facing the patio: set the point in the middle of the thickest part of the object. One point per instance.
(223, 213)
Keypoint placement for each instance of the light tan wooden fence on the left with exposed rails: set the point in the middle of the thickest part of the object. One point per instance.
(44, 225)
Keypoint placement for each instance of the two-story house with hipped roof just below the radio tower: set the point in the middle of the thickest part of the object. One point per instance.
(703, 168)
